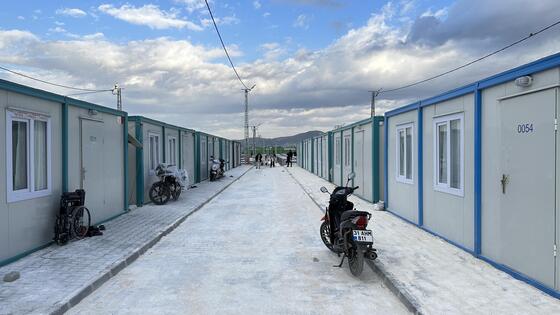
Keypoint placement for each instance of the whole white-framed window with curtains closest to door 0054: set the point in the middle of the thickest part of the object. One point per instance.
(448, 154)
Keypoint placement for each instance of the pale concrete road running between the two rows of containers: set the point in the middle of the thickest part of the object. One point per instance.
(255, 249)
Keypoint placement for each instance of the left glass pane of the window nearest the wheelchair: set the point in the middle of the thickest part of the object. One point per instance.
(20, 131)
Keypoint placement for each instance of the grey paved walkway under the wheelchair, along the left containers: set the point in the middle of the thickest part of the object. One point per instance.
(56, 277)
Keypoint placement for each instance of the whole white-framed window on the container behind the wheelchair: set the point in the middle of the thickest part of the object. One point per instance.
(28, 155)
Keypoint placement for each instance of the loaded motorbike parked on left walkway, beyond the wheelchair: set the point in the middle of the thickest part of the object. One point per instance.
(171, 182)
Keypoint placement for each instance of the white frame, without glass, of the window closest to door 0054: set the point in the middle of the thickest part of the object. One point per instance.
(446, 187)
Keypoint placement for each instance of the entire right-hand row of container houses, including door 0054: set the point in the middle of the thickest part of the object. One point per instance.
(476, 166)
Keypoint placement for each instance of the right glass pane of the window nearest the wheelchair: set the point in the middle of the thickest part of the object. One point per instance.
(41, 155)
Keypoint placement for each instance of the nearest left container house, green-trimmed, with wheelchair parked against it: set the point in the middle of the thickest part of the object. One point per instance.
(53, 144)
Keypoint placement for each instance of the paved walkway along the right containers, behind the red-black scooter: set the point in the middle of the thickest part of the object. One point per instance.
(437, 277)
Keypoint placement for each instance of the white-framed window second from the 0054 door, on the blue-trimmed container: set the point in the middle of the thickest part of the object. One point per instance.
(405, 153)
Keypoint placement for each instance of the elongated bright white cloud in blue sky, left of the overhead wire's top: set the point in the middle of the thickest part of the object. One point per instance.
(149, 15)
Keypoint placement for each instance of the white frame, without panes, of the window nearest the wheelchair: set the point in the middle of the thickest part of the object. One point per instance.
(28, 117)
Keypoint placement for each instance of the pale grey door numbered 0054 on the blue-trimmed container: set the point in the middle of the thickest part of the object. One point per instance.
(527, 184)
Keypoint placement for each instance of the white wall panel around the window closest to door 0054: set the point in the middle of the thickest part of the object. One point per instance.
(447, 214)
